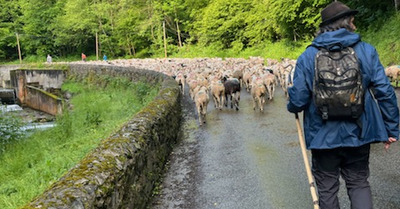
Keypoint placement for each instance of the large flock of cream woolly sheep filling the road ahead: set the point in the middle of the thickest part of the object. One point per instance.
(224, 79)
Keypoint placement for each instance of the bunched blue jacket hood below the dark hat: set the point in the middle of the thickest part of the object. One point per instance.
(338, 37)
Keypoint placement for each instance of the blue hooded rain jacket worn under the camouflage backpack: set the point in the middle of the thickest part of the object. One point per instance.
(380, 118)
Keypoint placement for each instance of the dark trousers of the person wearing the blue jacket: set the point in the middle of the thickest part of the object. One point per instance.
(352, 163)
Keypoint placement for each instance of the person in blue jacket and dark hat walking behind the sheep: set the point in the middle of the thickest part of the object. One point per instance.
(340, 145)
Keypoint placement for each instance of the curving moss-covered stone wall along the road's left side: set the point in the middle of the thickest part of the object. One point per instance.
(123, 170)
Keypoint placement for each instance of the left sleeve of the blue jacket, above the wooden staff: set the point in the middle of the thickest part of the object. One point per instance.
(300, 92)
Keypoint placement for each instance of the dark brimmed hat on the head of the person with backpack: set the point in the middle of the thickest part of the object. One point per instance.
(335, 11)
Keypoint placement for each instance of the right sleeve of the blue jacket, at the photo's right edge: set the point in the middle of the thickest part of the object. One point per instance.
(385, 96)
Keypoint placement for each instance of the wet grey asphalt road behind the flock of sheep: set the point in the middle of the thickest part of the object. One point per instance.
(248, 159)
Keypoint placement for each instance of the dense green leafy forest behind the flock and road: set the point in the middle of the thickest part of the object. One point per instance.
(135, 28)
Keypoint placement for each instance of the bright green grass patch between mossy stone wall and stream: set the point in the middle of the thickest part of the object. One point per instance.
(31, 165)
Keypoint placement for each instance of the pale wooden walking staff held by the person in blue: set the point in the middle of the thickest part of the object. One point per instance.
(307, 164)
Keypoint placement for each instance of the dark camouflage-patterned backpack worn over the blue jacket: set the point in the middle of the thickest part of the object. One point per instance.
(337, 90)
